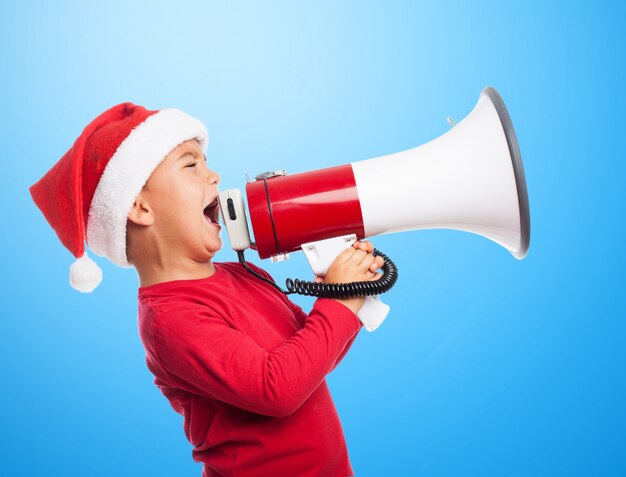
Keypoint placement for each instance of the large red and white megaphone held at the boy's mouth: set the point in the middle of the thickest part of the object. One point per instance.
(470, 179)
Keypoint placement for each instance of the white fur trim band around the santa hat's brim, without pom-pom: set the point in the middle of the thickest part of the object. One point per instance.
(126, 173)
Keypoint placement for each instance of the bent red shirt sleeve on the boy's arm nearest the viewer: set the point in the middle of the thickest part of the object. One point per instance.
(203, 354)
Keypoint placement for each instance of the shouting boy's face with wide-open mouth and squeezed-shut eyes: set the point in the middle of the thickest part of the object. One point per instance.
(181, 195)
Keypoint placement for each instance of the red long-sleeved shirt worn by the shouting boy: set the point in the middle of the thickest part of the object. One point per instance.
(246, 368)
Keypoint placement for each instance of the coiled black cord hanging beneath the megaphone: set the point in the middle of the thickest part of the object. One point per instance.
(336, 290)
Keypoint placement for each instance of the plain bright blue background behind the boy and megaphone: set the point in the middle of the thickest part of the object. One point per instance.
(487, 366)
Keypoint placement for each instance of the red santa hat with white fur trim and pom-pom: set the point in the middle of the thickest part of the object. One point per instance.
(87, 195)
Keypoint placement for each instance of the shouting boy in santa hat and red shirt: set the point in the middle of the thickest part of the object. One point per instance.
(244, 365)
